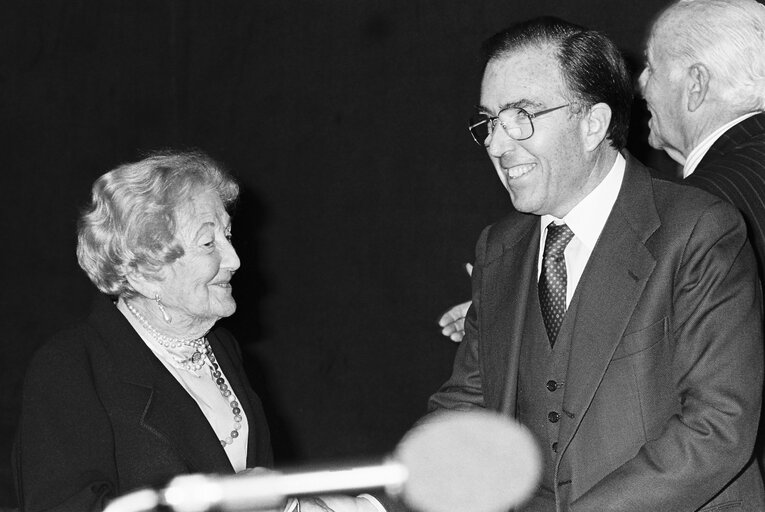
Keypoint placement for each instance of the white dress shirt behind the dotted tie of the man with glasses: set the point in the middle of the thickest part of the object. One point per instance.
(586, 221)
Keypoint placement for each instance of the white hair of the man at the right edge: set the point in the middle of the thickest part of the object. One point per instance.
(726, 36)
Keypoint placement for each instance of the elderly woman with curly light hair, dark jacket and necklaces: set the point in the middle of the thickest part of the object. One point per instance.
(147, 387)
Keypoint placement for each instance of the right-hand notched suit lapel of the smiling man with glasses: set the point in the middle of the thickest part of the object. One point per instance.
(610, 288)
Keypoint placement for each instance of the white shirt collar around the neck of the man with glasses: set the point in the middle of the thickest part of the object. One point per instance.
(587, 218)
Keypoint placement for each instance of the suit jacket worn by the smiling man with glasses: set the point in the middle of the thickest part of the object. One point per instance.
(664, 379)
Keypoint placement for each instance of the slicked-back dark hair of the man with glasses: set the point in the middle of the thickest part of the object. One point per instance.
(591, 64)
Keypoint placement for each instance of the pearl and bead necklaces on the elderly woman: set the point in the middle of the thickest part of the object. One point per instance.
(202, 355)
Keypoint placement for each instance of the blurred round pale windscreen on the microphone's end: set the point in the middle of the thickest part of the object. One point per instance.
(470, 460)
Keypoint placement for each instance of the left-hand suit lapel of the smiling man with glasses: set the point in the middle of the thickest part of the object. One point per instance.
(504, 308)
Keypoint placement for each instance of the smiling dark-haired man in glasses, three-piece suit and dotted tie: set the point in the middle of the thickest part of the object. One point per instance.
(616, 315)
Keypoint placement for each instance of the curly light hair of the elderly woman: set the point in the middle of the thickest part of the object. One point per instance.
(131, 221)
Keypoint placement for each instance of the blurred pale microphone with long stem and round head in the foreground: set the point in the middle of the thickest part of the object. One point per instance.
(470, 460)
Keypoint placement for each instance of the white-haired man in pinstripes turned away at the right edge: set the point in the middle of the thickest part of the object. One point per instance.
(704, 83)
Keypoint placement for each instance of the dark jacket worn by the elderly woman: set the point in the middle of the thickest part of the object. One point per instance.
(102, 416)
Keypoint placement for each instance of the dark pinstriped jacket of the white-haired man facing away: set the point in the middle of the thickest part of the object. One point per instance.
(734, 169)
